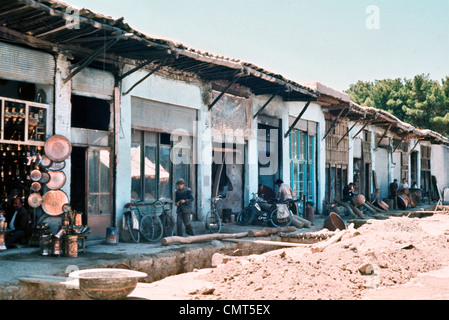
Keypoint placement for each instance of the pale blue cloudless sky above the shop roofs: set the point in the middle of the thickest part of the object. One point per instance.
(313, 40)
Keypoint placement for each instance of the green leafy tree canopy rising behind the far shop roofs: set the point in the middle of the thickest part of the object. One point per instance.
(421, 101)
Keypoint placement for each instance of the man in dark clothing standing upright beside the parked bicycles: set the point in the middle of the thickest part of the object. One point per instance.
(184, 199)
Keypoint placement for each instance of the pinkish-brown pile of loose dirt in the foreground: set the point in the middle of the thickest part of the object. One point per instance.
(396, 250)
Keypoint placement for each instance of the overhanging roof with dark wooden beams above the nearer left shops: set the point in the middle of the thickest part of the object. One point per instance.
(51, 25)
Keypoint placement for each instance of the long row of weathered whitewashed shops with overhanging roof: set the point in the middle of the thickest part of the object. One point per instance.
(143, 112)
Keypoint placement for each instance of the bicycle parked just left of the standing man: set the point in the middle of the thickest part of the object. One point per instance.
(149, 225)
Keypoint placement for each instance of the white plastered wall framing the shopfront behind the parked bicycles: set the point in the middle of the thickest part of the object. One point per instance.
(173, 92)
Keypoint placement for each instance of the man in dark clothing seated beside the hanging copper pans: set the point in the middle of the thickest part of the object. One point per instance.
(18, 224)
